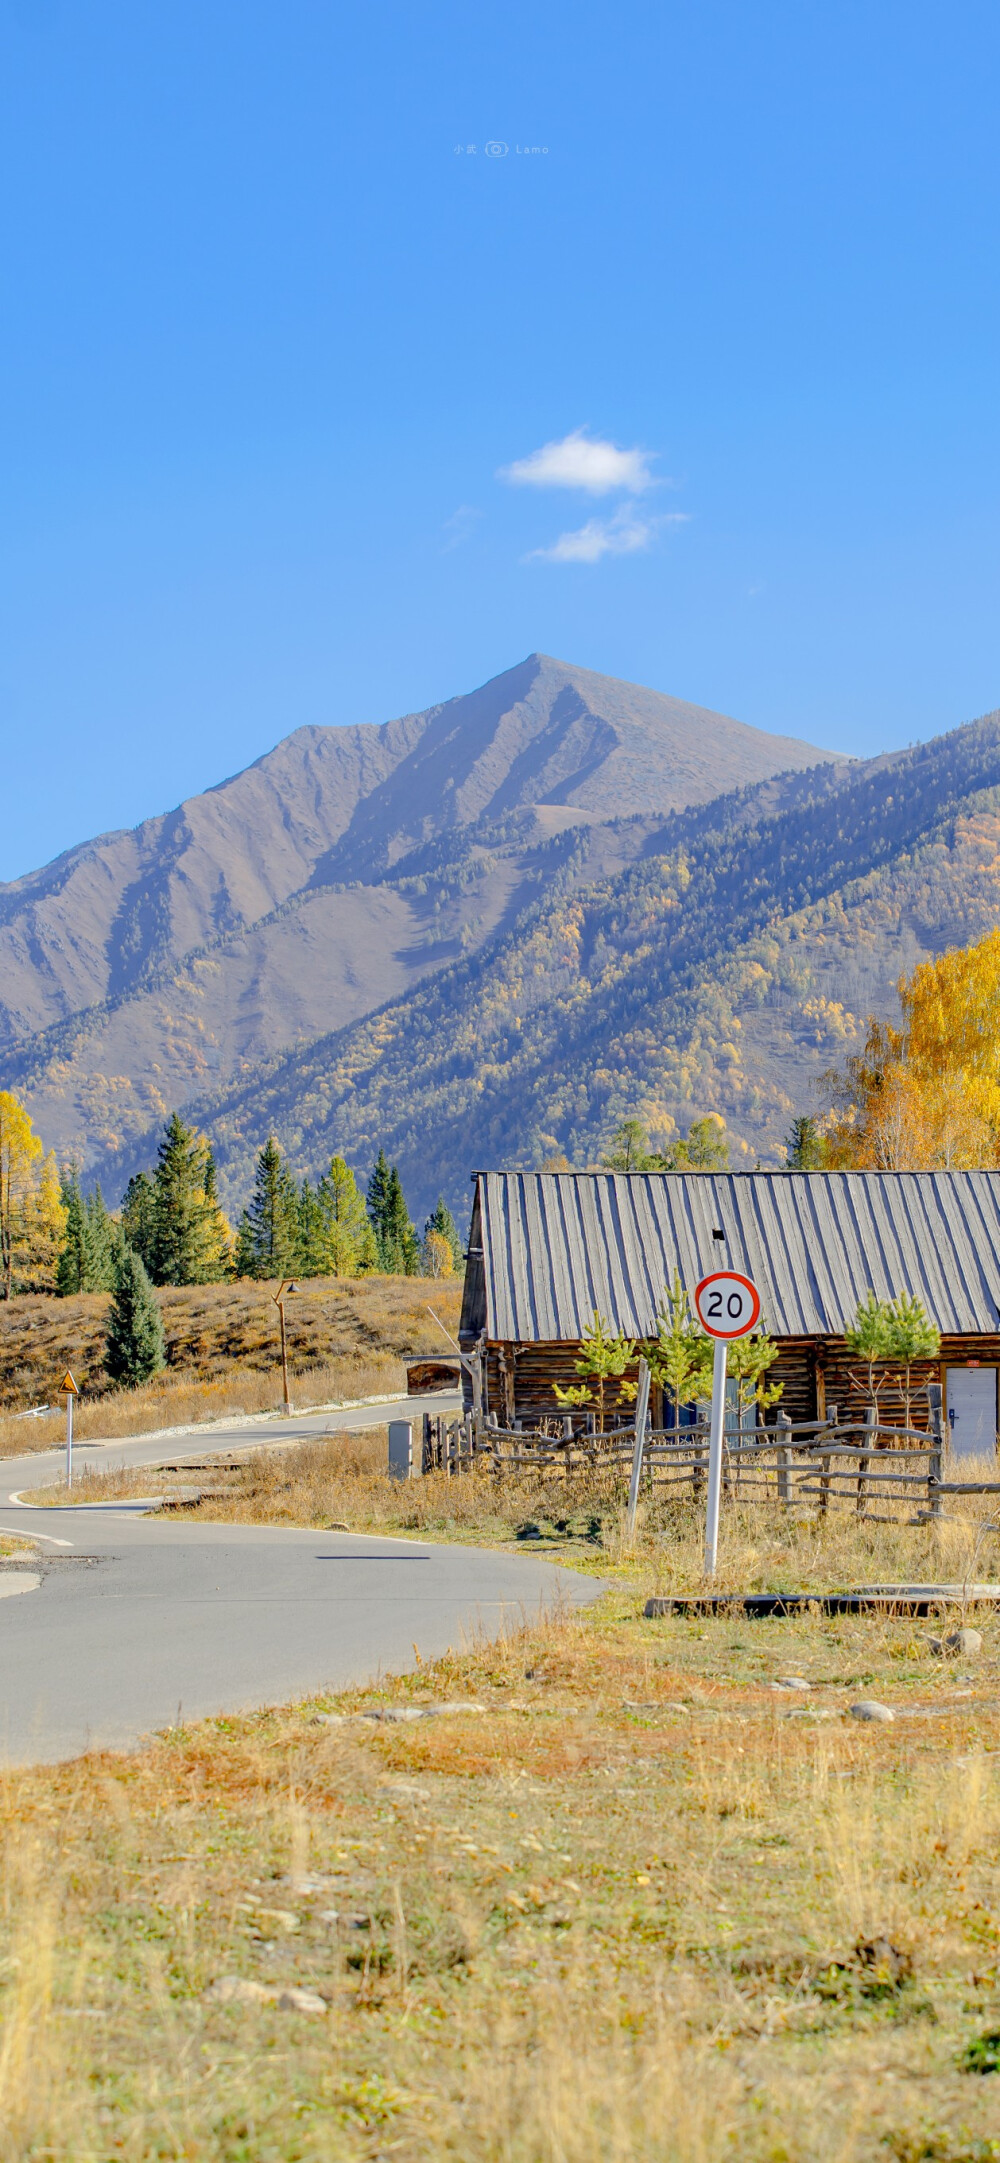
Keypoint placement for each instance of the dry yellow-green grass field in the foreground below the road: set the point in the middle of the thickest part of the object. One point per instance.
(642, 1907)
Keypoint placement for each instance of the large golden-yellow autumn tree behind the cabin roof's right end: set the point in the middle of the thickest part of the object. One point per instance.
(927, 1096)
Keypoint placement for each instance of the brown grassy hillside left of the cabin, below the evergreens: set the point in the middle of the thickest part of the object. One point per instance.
(347, 1338)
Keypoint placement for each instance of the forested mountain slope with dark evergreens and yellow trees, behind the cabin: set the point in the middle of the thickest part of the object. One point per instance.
(724, 968)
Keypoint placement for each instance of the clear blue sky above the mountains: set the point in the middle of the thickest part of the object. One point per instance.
(274, 334)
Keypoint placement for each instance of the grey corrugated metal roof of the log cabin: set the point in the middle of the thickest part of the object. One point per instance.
(562, 1245)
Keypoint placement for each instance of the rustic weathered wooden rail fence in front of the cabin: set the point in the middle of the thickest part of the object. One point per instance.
(871, 1470)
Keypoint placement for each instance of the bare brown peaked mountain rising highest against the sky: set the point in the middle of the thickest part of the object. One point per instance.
(334, 875)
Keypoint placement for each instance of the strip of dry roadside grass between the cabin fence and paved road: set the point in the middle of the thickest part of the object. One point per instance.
(343, 1481)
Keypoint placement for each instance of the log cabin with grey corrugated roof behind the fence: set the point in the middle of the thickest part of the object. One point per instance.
(549, 1249)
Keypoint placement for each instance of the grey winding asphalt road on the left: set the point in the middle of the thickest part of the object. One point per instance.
(137, 1621)
